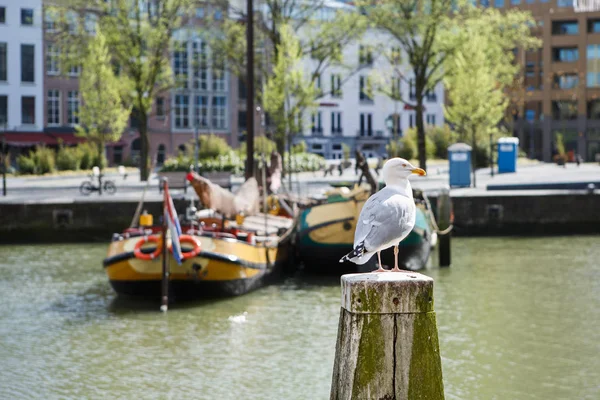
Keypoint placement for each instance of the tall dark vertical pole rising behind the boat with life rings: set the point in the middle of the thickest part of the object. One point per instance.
(250, 90)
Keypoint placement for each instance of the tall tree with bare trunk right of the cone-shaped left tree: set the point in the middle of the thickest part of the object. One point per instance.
(139, 35)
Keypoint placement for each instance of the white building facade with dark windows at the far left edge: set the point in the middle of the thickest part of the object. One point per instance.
(21, 68)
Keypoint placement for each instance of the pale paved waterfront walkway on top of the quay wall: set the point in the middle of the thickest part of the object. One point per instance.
(65, 189)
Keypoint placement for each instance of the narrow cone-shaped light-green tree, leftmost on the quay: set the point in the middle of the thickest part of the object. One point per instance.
(102, 116)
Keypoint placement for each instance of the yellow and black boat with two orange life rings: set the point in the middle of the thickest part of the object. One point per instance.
(228, 248)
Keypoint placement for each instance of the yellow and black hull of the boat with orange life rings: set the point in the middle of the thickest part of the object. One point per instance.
(224, 266)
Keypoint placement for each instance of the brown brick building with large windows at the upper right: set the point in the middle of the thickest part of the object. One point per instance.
(562, 79)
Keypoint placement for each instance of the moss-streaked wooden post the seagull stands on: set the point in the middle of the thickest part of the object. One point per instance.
(387, 345)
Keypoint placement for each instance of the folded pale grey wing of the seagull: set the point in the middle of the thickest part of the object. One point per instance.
(391, 221)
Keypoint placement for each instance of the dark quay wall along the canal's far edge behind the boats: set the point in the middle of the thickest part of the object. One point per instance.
(95, 221)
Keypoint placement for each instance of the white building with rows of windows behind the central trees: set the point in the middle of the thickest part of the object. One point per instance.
(356, 108)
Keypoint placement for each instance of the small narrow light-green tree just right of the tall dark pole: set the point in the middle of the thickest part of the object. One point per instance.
(288, 92)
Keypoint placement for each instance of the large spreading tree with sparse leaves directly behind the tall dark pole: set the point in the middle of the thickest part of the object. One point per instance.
(322, 40)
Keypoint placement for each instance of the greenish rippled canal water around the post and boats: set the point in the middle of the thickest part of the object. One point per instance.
(518, 318)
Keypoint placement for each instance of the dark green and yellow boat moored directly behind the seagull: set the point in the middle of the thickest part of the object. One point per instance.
(326, 232)
